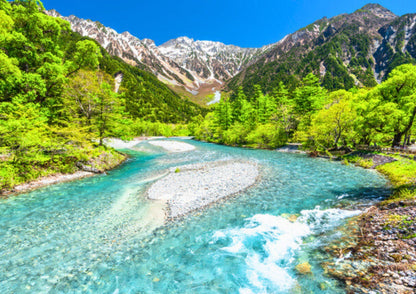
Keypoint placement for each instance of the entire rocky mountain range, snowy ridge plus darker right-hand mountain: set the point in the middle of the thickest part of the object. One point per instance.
(360, 48)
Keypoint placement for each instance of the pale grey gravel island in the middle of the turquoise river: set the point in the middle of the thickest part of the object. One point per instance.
(191, 187)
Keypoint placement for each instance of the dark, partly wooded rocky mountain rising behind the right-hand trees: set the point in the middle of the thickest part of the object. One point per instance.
(360, 48)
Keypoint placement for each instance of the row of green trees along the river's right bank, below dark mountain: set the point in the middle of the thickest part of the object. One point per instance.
(319, 119)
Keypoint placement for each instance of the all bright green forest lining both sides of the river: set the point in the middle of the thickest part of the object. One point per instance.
(58, 101)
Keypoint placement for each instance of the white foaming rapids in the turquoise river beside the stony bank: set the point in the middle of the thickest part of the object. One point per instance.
(269, 268)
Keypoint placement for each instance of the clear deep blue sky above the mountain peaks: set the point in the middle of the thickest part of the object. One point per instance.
(239, 22)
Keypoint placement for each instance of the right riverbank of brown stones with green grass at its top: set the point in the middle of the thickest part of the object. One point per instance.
(379, 253)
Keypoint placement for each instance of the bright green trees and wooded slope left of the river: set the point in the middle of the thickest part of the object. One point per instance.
(56, 105)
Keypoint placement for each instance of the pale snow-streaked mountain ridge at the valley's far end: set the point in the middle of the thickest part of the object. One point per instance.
(181, 62)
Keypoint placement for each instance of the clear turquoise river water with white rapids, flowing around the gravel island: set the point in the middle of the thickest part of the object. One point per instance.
(100, 234)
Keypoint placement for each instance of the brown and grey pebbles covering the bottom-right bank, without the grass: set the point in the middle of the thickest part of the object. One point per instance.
(382, 250)
